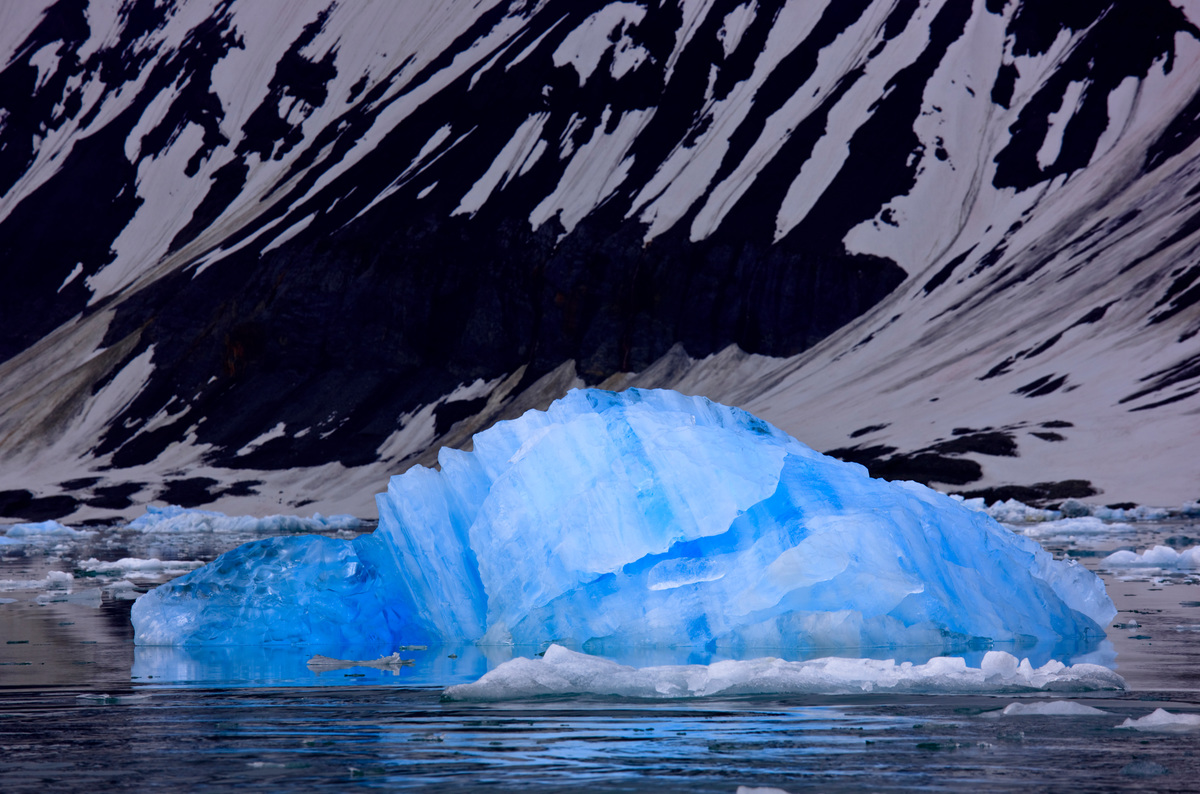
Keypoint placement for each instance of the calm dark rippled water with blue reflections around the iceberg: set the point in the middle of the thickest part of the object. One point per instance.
(81, 709)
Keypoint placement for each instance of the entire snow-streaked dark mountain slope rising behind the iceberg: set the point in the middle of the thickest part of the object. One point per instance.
(265, 255)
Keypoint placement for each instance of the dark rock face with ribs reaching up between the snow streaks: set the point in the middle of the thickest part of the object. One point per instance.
(368, 315)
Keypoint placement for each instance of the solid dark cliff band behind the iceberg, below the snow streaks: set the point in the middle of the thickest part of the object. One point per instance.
(371, 334)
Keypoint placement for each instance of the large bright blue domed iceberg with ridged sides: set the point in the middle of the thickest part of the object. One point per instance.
(641, 519)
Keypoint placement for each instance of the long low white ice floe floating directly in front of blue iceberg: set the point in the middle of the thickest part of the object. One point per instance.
(566, 672)
